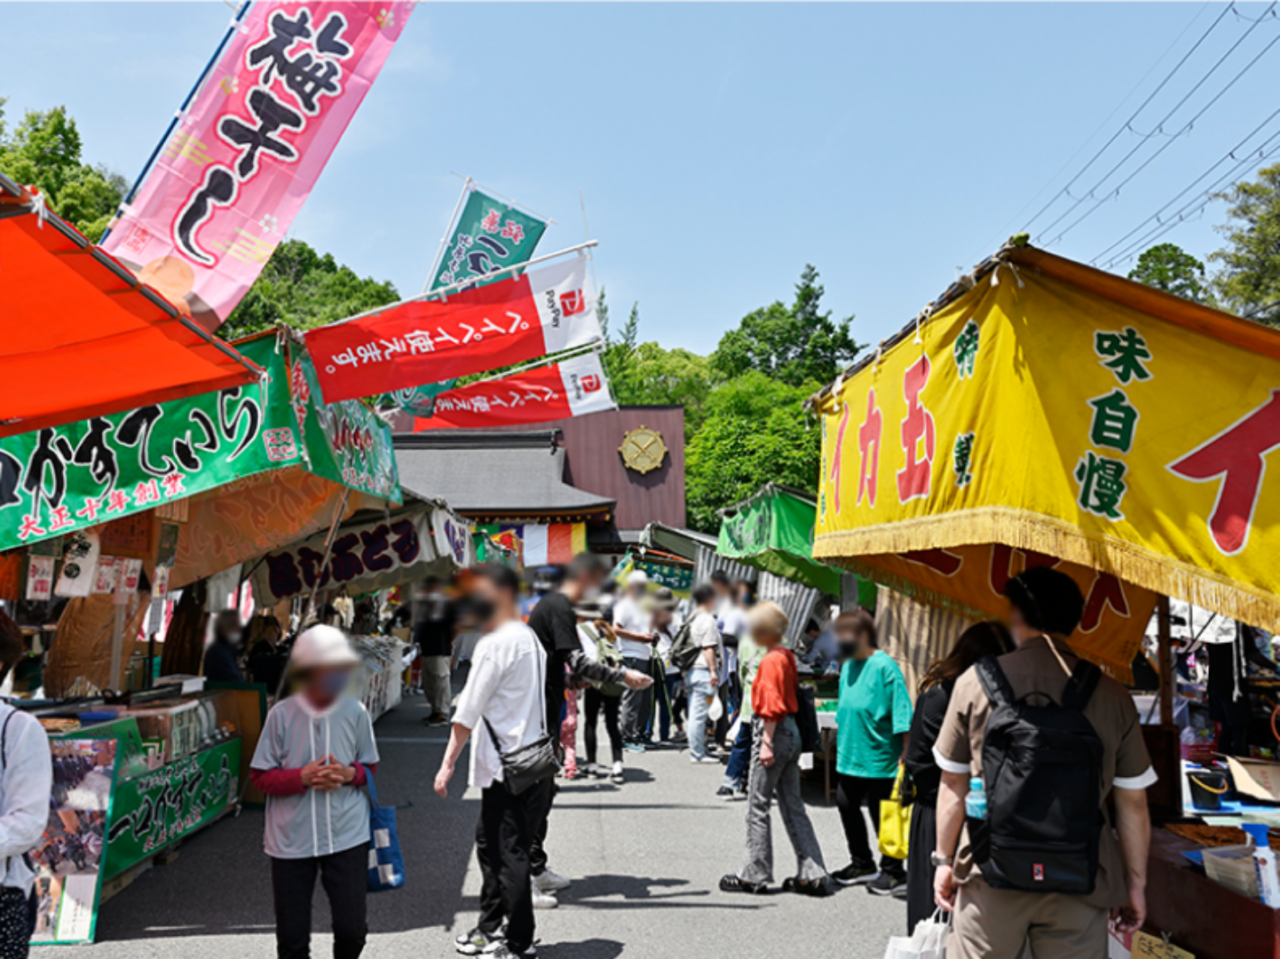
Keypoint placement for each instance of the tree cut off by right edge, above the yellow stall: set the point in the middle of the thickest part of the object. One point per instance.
(1249, 282)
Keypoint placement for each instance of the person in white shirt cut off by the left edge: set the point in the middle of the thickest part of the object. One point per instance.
(26, 784)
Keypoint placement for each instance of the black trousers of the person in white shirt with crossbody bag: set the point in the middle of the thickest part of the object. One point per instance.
(504, 841)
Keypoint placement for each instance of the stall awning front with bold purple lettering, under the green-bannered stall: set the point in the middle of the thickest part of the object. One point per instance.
(364, 558)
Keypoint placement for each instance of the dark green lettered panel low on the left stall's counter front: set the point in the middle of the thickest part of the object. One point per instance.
(158, 809)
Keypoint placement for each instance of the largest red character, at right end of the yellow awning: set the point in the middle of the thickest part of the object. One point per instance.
(1238, 456)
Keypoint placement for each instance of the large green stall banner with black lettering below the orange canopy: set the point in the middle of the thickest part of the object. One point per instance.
(67, 478)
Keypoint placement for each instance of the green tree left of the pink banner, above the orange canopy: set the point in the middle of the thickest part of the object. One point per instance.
(45, 152)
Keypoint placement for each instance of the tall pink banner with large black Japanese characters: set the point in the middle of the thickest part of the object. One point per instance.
(244, 159)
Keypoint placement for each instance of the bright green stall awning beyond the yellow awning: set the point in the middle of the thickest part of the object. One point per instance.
(774, 532)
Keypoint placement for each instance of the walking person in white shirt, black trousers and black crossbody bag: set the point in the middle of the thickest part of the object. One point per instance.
(505, 692)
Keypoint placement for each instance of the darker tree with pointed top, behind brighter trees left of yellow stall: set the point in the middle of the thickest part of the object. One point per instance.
(792, 344)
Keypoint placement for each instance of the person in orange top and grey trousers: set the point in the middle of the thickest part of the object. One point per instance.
(776, 769)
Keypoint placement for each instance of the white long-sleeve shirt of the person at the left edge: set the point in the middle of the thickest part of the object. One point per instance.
(26, 786)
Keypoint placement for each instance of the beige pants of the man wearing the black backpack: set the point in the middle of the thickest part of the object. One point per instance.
(996, 924)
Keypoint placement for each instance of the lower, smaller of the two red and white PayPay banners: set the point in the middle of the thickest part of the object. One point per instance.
(559, 391)
